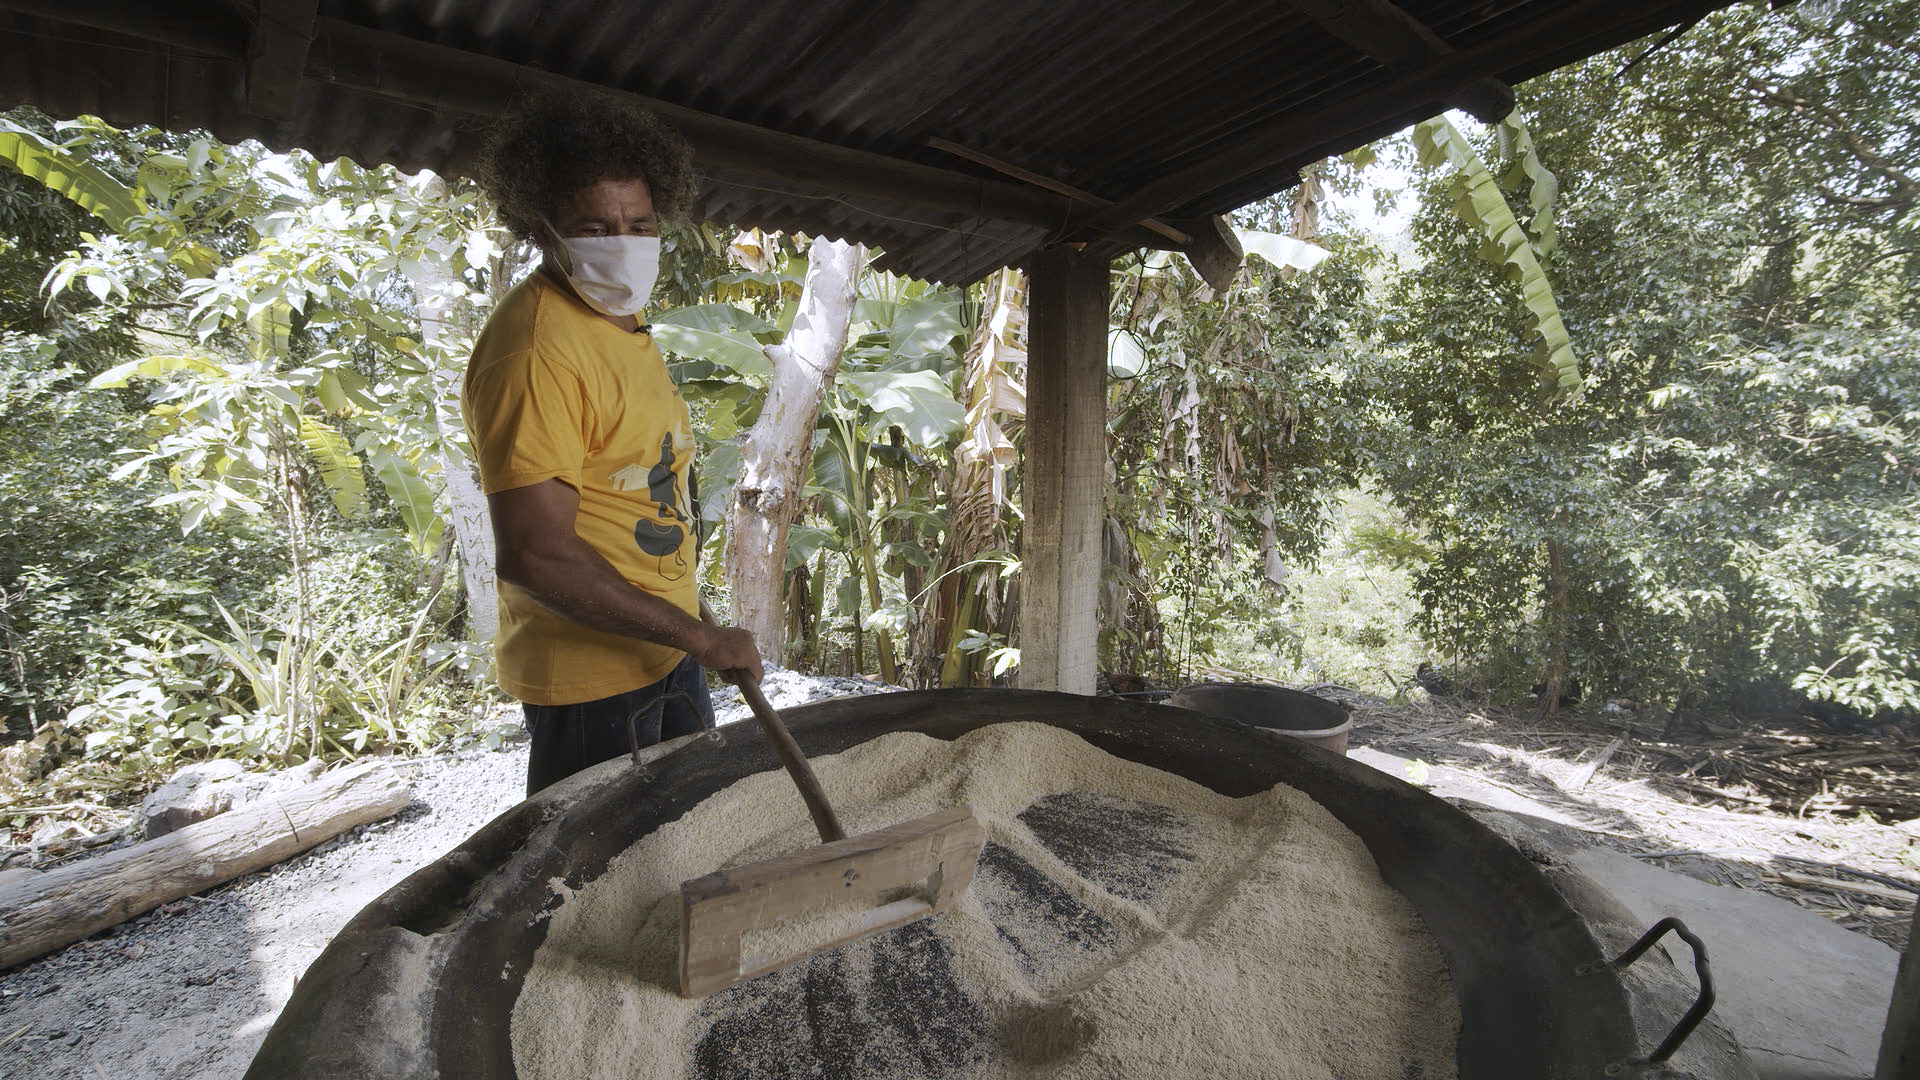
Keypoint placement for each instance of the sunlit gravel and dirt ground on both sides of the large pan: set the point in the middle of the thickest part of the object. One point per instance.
(189, 991)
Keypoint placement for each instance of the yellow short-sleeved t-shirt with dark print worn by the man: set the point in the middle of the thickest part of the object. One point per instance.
(556, 391)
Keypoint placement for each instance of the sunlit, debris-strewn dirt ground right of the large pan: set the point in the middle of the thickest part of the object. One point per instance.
(1825, 820)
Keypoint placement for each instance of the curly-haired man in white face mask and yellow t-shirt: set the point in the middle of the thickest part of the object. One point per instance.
(585, 447)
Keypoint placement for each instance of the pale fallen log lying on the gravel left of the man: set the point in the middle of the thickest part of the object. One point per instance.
(53, 910)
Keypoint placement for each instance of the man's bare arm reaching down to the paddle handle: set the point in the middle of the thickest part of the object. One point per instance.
(539, 551)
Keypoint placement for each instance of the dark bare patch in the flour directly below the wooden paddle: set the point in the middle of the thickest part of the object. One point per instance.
(873, 1010)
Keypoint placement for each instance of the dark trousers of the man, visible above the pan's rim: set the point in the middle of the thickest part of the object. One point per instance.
(569, 739)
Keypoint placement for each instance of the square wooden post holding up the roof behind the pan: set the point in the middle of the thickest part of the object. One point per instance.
(1065, 472)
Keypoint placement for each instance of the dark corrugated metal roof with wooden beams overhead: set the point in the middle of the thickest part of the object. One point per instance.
(1105, 97)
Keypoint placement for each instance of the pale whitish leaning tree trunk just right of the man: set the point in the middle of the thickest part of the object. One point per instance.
(775, 453)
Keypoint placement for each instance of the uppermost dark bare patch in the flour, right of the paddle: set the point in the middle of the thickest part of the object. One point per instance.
(1124, 847)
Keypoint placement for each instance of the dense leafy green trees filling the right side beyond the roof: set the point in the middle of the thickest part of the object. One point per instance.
(1727, 514)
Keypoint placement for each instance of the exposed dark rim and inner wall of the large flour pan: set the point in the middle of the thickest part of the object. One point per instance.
(423, 983)
